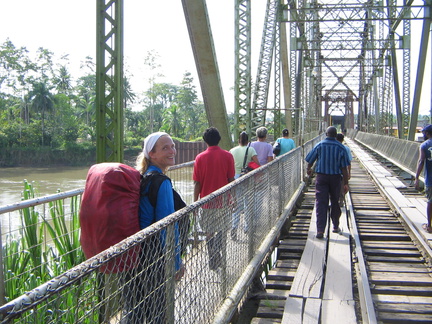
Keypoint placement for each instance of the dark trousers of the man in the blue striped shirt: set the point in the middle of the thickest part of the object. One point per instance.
(327, 186)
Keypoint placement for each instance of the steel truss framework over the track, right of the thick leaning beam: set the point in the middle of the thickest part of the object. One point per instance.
(343, 55)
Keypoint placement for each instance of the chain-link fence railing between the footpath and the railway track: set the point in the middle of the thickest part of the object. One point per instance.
(179, 270)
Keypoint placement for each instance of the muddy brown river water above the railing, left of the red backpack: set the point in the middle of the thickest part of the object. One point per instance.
(47, 181)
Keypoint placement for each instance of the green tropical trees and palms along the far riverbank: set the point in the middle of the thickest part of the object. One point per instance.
(43, 108)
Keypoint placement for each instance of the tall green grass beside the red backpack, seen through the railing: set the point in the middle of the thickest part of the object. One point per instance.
(44, 248)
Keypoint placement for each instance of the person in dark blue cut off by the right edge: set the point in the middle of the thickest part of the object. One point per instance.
(425, 160)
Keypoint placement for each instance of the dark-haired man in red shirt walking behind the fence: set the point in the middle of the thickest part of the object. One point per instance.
(213, 169)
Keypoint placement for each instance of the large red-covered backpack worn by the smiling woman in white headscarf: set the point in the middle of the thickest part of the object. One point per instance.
(109, 212)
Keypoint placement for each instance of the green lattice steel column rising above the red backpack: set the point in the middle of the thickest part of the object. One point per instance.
(109, 81)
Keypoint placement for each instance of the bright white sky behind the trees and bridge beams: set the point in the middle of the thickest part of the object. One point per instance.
(69, 27)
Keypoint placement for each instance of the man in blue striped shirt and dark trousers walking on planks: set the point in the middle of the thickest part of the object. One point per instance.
(331, 161)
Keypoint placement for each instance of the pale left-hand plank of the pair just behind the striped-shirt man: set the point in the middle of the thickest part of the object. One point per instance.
(310, 273)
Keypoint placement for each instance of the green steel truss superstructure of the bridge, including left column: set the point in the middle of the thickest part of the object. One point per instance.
(322, 62)
